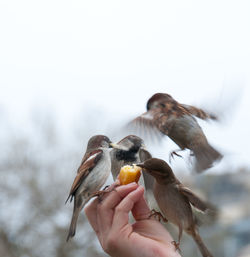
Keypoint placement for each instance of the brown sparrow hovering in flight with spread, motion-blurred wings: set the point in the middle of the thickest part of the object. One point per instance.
(177, 121)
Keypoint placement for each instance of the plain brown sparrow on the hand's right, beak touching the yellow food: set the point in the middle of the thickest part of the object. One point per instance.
(175, 200)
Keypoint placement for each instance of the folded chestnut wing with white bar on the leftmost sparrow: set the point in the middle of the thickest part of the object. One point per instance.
(88, 163)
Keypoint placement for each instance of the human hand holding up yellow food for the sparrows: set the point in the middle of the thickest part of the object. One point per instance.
(110, 220)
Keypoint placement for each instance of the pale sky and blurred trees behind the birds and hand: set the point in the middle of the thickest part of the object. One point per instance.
(72, 69)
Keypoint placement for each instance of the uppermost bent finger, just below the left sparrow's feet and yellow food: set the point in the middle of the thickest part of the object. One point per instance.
(105, 209)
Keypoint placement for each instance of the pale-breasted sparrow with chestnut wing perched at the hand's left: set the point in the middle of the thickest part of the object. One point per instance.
(91, 175)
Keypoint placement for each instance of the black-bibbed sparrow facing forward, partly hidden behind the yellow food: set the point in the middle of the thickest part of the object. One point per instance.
(128, 151)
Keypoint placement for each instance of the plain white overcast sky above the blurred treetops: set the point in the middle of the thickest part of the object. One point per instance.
(75, 56)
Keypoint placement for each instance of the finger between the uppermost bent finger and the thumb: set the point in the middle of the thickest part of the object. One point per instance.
(121, 214)
